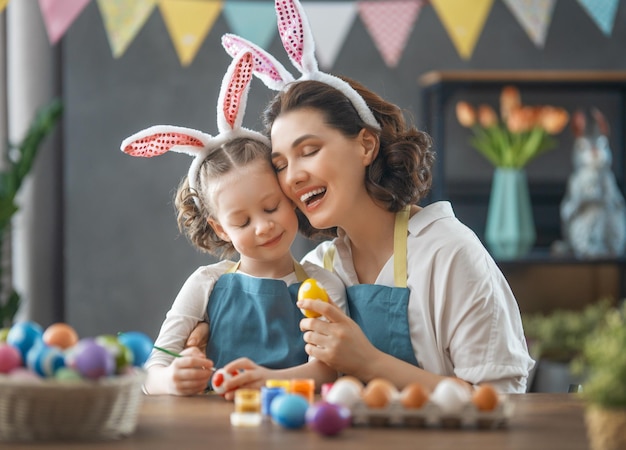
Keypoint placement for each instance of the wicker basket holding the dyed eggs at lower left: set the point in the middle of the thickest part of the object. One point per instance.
(81, 410)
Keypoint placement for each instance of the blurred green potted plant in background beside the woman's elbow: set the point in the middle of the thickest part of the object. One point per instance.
(557, 338)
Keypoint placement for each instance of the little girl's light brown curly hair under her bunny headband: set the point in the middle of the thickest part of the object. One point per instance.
(193, 219)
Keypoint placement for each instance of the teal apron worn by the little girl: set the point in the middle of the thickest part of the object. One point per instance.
(255, 318)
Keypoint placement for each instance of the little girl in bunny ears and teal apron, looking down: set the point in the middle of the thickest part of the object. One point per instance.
(231, 202)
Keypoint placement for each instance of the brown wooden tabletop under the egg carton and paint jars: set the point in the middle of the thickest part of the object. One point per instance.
(539, 421)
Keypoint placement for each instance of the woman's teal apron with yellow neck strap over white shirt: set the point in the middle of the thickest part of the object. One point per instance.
(382, 311)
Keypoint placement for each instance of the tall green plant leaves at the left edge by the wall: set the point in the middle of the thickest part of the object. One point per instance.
(18, 161)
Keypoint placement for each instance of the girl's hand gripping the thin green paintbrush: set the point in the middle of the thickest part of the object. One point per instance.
(189, 374)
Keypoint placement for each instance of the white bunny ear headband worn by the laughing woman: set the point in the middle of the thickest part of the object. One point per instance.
(297, 38)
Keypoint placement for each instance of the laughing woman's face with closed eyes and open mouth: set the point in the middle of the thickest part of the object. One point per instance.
(320, 169)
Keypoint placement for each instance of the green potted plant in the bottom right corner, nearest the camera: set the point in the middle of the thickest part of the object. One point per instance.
(603, 362)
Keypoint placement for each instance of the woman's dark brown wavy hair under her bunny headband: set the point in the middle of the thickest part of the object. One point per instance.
(401, 173)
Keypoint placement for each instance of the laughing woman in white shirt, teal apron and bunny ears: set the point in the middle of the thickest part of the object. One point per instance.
(426, 299)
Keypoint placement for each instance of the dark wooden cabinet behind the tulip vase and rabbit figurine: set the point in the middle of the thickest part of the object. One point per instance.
(541, 281)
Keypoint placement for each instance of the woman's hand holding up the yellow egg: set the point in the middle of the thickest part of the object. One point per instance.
(337, 341)
